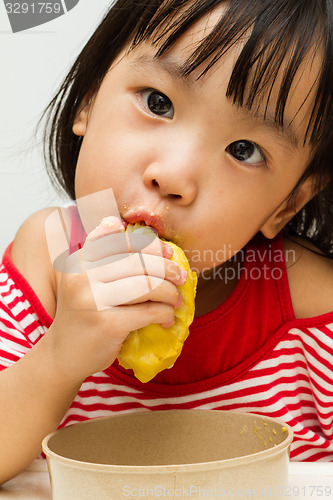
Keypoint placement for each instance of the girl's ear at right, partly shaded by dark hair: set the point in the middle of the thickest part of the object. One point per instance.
(285, 212)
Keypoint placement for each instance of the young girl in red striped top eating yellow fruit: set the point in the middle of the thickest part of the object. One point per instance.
(212, 123)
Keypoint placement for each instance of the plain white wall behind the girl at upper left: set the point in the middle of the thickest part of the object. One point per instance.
(33, 63)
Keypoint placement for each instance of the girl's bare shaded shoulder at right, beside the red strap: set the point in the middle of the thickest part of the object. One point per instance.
(310, 276)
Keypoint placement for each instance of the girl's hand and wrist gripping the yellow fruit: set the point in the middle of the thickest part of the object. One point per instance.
(118, 282)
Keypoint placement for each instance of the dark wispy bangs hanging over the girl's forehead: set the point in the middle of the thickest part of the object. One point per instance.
(278, 34)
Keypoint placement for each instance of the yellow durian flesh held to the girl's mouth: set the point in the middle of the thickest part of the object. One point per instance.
(149, 350)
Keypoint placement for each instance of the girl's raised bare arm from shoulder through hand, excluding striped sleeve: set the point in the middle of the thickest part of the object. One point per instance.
(36, 392)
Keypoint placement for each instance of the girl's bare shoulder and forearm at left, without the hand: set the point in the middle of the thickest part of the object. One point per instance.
(33, 394)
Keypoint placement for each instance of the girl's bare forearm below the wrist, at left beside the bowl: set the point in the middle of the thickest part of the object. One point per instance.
(34, 397)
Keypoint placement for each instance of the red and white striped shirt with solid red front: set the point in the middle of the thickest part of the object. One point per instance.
(250, 355)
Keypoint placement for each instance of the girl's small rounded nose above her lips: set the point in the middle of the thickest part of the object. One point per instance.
(174, 178)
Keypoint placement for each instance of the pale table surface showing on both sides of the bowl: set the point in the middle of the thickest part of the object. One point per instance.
(307, 481)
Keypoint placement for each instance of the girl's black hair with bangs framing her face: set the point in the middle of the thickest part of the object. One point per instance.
(279, 31)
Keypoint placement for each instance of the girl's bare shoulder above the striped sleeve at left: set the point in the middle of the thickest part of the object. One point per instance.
(30, 255)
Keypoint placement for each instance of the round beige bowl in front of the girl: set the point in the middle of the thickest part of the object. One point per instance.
(169, 454)
